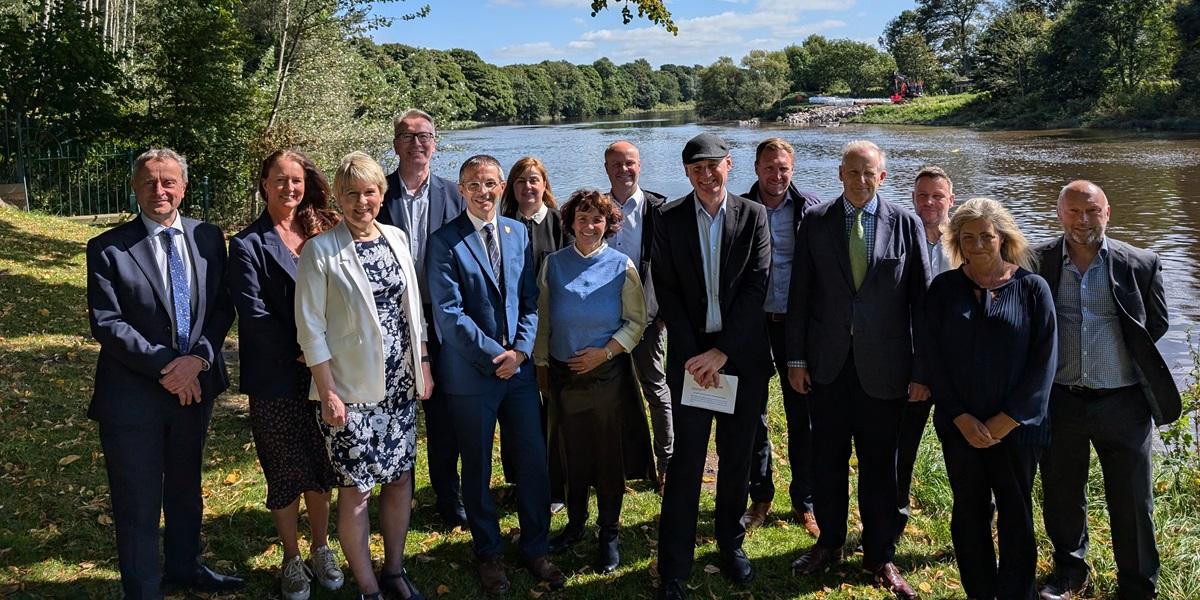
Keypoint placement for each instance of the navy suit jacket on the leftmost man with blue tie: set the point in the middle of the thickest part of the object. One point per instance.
(131, 317)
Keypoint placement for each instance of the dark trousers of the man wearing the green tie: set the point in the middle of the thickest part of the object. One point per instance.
(844, 416)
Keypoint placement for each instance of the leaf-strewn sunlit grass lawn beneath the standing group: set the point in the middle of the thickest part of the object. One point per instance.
(57, 537)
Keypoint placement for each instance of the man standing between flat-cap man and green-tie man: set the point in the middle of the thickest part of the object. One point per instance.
(775, 160)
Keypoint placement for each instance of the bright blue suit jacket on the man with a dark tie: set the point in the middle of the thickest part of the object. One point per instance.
(476, 321)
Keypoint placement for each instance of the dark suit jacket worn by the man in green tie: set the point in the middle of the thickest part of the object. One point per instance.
(885, 314)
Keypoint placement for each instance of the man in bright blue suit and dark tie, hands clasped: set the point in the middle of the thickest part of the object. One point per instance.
(482, 283)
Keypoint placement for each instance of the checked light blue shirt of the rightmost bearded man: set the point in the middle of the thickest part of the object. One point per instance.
(1091, 347)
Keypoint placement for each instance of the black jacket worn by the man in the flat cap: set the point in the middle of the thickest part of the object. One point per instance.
(682, 295)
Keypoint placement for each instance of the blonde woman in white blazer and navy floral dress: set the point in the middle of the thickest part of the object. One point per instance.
(361, 327)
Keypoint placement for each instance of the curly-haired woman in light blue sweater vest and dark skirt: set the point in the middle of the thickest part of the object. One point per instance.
(592, 313)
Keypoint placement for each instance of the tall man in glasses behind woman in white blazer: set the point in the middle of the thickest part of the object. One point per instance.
(421, 203)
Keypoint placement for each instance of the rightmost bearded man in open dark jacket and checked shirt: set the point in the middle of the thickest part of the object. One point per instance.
(1111, 386)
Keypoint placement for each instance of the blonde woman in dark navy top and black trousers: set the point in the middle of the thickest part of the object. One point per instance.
(993, 345)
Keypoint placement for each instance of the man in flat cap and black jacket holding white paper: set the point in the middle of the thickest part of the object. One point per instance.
(712, 259)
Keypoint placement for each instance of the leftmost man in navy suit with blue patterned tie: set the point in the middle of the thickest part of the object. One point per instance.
(160, 311)
